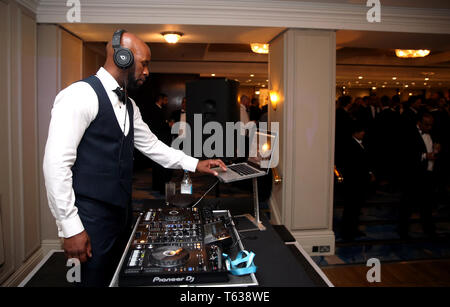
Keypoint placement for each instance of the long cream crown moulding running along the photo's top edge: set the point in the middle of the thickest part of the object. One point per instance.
(292, 14)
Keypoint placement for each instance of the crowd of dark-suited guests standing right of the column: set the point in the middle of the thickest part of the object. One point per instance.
(397, 146)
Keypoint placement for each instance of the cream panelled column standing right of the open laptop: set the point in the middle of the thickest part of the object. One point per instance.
(302, 66)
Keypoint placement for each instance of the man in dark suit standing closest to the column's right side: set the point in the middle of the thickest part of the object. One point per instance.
(357, 177)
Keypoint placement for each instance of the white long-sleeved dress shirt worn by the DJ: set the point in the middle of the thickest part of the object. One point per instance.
(74, 109)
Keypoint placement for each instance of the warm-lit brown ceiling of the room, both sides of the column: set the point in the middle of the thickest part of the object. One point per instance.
(225, 52)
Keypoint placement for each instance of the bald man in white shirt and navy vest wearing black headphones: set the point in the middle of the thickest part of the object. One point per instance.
(88, 159)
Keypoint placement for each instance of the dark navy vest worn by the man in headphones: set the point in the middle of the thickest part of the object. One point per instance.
(103, 169)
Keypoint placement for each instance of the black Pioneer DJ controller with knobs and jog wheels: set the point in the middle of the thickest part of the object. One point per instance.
(177, 246)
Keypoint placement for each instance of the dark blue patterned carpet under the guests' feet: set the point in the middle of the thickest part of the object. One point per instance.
(378, 221)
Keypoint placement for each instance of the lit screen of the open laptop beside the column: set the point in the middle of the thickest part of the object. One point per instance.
(262, 149)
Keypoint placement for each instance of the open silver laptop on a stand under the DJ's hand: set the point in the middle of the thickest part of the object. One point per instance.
(258, 163)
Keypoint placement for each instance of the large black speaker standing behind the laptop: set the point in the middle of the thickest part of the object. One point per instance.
(215, 99)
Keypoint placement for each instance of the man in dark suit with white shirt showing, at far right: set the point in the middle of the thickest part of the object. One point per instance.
(419, 156)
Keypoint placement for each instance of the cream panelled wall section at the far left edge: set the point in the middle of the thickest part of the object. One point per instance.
(19, 180)
